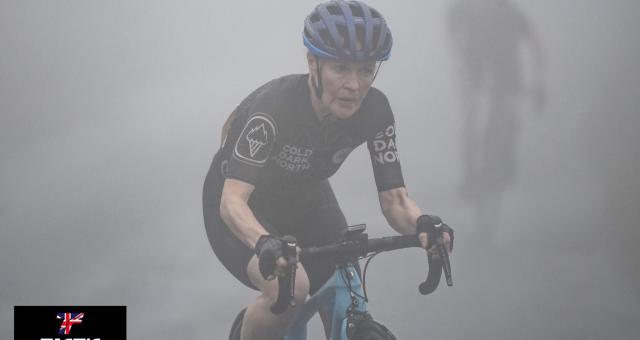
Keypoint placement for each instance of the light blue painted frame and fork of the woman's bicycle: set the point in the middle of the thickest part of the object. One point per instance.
(335, 296)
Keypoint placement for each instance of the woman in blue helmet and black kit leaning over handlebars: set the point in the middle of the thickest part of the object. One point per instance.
(283, 142)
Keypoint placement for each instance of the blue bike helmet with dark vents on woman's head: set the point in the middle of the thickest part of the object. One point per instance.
(349, 30)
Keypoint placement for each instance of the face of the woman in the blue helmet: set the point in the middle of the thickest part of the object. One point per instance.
(344, 84)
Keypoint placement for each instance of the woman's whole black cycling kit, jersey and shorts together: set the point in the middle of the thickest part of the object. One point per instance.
(277, 143)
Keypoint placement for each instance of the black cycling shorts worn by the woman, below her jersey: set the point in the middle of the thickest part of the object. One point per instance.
(313, 217)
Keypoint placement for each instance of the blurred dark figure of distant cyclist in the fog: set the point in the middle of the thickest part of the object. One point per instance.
(493, 42)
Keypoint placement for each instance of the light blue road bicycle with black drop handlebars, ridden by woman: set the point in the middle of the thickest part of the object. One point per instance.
(342, 296)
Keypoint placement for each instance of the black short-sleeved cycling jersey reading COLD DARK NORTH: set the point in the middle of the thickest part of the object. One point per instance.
(277, 142)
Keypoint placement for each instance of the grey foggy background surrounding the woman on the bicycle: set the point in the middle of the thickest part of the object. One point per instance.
(517, 121)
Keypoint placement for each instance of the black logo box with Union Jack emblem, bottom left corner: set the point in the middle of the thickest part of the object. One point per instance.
(38, 322)
